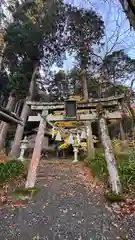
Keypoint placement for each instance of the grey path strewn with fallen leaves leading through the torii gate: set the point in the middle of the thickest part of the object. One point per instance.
(67, 207)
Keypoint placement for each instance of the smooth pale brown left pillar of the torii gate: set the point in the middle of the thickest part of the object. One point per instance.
(31, 179)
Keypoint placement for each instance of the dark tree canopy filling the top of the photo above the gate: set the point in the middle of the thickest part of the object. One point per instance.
(43, 32)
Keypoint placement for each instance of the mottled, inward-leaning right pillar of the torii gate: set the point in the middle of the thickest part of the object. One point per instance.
(108, 150)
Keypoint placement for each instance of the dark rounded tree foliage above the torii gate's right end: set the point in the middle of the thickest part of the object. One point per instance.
(116, 68)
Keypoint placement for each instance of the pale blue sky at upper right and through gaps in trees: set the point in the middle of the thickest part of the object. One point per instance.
(118, 32)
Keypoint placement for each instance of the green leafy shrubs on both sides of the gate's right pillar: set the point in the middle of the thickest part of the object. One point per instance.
(125, 165)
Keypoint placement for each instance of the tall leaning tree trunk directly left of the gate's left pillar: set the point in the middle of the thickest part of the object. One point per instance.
(15, 151)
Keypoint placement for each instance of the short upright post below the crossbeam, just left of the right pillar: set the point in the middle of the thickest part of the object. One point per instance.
(90, 144)
